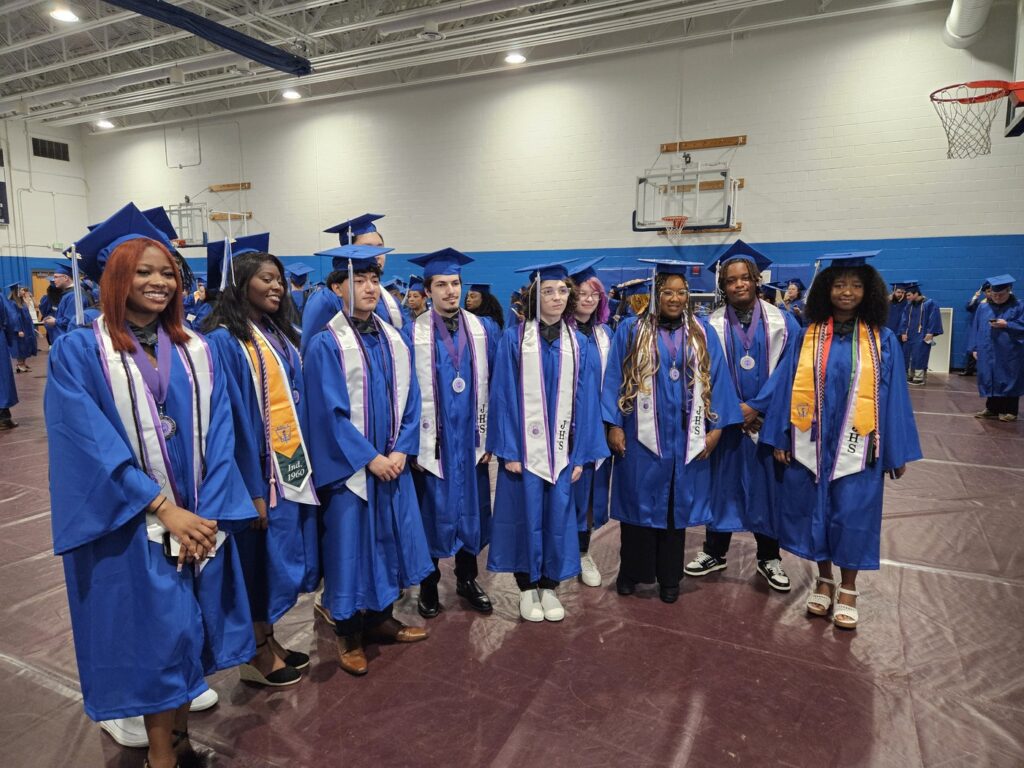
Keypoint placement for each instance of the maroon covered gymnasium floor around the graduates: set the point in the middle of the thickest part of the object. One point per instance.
(731, 675)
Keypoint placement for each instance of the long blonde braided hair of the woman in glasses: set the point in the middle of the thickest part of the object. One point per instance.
(643, 360)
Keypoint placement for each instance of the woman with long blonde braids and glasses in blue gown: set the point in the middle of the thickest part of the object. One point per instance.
(666, 400)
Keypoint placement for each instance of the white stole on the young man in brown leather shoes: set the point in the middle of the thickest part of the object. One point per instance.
(354, 365)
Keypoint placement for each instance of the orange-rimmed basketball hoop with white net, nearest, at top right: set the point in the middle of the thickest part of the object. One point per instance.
(967, 112)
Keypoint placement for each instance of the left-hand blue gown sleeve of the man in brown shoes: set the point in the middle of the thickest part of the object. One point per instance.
(336, 448)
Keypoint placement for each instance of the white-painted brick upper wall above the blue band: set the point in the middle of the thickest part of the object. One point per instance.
(844, 144)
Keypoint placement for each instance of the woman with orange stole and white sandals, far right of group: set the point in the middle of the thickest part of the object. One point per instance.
(839, 422)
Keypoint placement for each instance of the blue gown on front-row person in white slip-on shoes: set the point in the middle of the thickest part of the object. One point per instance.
(535, 526)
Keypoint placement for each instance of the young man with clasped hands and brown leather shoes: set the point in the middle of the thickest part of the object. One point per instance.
(364, 398)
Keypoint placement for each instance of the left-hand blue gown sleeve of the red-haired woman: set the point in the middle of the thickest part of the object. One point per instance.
(96, 487)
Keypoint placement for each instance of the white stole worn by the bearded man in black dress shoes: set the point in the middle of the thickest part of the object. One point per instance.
(426, 374)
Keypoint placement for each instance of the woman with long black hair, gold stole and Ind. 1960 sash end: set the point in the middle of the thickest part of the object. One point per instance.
(254, 344)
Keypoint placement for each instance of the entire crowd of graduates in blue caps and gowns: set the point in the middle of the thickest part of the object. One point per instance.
(216, 454)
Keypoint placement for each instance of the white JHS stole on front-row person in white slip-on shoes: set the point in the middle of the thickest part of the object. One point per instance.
(543, 457)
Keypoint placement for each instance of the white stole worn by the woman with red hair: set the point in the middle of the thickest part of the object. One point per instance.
(150, 448)
